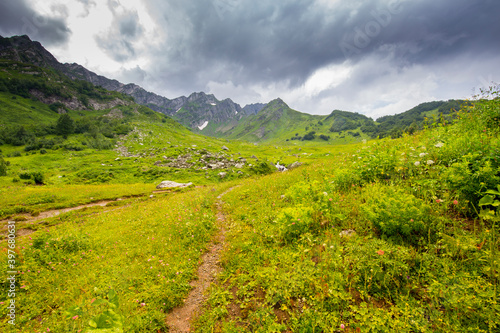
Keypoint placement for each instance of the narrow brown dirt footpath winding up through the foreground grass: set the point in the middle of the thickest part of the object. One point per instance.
(179, 320)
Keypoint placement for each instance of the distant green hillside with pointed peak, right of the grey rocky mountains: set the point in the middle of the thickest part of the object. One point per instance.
(278, 123)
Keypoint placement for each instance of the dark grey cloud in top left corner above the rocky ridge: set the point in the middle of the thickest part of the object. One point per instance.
(17, 18)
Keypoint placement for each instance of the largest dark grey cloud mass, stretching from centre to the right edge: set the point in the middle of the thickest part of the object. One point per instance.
(261, 42)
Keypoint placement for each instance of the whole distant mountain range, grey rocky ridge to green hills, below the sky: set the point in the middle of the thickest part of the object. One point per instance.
(205, 114)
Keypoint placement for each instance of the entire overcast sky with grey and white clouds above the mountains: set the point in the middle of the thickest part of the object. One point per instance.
(373, 57)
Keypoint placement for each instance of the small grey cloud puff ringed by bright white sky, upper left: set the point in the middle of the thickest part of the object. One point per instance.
(118, 42)
